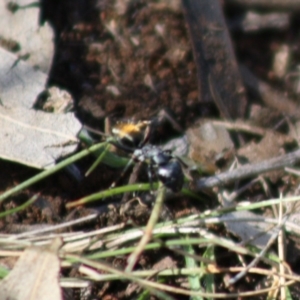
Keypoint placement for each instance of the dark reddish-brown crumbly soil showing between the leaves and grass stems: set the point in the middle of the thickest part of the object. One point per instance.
(123, 64)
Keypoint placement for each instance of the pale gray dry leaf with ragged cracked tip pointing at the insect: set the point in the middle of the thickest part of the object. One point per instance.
(36, 138)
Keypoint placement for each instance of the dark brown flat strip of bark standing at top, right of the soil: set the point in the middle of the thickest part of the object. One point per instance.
(218, 74)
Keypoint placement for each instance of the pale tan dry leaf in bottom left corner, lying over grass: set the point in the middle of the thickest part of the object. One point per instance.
(34, 276)
